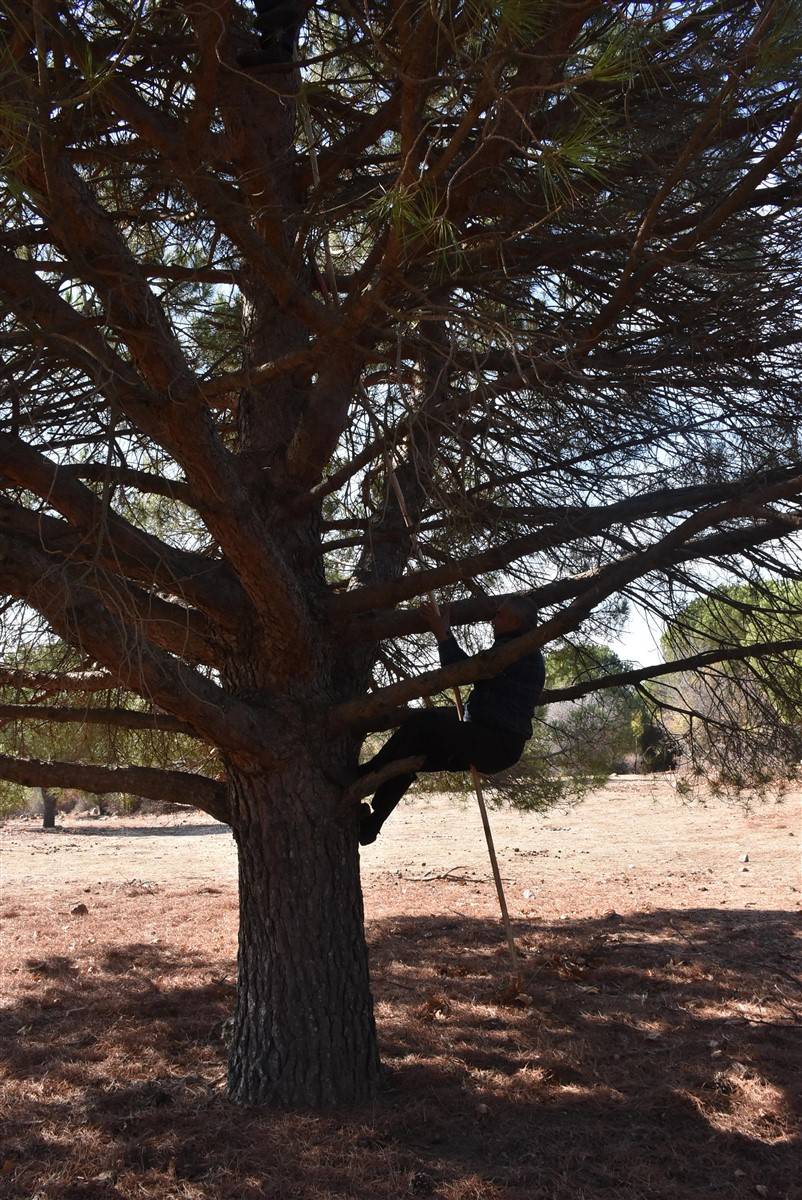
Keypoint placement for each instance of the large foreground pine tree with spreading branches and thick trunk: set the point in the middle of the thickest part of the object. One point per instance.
(540, 256)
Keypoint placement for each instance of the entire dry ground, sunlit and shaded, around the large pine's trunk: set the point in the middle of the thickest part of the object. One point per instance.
(650, 1049)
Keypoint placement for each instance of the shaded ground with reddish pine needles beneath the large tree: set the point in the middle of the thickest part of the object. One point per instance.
(648, 1058)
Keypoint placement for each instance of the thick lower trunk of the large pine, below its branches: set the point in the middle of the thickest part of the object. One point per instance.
(304, 1033)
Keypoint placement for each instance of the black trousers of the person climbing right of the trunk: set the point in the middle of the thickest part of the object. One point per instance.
(447, 745)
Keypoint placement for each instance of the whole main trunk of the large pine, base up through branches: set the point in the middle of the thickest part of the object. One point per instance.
(304, 1031)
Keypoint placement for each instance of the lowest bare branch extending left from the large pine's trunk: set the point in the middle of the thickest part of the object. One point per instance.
(171, 787)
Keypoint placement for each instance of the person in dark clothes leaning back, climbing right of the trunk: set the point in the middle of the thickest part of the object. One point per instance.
(498, 717)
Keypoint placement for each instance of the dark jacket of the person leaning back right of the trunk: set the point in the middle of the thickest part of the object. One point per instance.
(508, 700)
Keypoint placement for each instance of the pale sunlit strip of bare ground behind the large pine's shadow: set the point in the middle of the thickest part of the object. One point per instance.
(633, 845)
